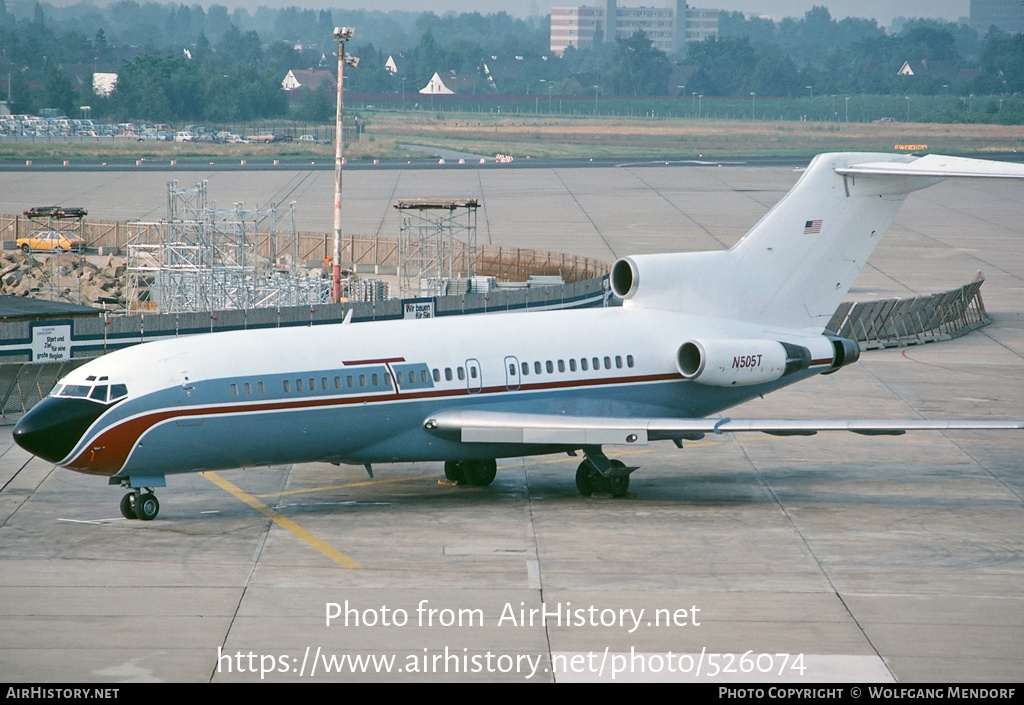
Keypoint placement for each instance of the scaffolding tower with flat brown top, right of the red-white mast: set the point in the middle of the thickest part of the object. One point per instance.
(438, 243)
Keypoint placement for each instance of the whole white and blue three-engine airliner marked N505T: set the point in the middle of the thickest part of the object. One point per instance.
(698, 334)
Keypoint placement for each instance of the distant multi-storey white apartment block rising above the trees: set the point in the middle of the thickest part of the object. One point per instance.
(669, 28)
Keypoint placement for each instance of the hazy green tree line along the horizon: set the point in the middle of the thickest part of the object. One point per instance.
(181, 63)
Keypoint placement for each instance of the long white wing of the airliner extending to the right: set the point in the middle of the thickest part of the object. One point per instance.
(489, 427)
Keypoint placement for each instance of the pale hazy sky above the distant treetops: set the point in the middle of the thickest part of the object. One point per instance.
(883, 11)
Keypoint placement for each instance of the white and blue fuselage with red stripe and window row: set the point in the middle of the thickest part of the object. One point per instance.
(361, 393)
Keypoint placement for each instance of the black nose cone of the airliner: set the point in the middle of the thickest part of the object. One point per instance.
(54, 428)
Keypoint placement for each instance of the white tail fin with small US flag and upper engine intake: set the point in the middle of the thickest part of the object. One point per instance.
(793, 269)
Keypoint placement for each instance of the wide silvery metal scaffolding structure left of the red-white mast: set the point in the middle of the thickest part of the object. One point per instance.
(205, 259)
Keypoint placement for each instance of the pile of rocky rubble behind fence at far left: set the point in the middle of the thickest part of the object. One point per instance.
(90, 280)
